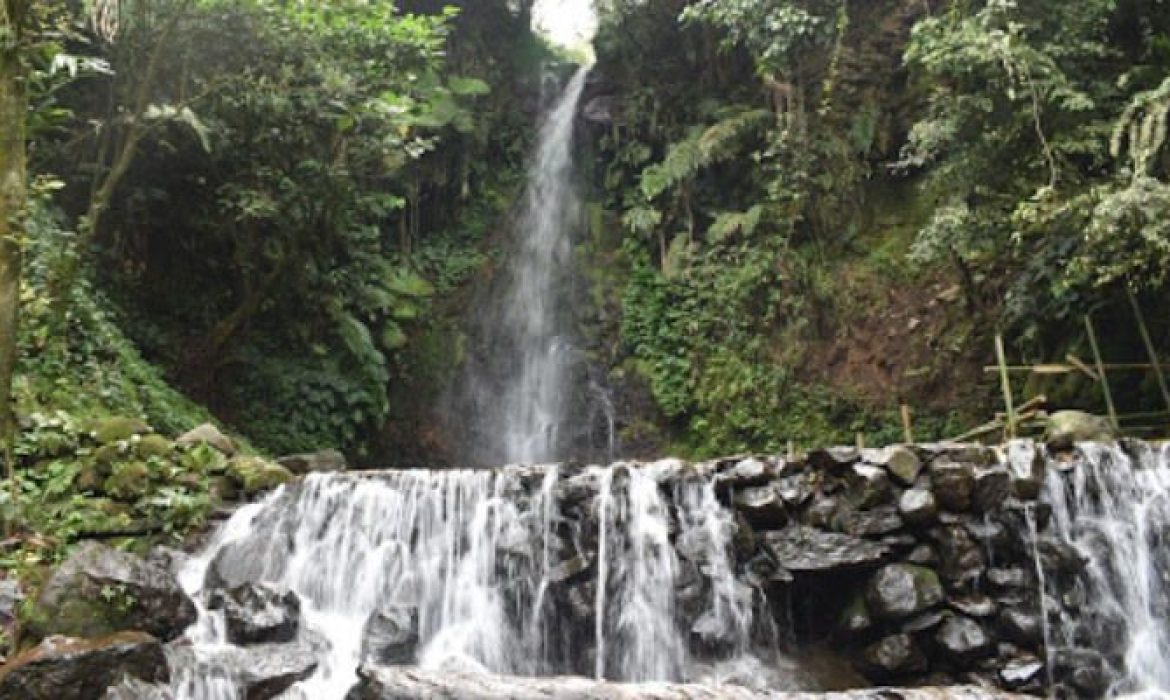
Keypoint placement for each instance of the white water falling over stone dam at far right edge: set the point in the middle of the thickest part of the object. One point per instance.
(1113, 510)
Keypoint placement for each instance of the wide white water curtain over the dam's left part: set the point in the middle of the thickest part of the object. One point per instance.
(519, 571)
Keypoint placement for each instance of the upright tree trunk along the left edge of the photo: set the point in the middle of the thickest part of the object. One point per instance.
(13, 193)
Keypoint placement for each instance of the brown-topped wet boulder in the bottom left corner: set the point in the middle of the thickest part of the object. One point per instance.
(65, 669)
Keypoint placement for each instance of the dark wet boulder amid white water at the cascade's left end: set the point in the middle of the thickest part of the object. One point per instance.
(257, 614)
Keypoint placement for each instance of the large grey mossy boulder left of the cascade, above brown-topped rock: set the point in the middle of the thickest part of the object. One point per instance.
(101, 591)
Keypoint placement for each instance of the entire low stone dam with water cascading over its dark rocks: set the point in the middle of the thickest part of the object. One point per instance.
(934, 566)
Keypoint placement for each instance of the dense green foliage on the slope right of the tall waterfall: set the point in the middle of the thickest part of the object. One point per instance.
(754, 163)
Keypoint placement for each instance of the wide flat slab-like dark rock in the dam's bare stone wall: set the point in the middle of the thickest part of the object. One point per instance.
(803, 550)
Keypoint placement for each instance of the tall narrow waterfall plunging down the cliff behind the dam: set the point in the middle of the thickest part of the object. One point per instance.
(526, 373)
